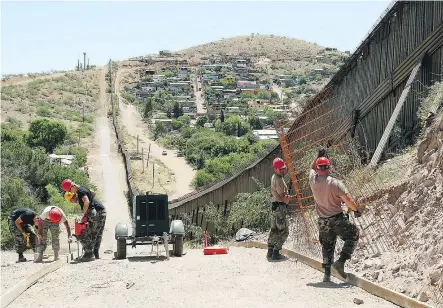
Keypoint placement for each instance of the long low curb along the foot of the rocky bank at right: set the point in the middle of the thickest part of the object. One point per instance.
(387, 294)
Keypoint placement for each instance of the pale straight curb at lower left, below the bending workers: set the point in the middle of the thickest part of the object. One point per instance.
(10, 295)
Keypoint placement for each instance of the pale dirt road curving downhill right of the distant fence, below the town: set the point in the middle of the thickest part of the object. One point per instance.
(183, 172)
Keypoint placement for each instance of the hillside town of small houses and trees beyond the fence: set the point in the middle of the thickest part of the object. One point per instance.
(224, 85)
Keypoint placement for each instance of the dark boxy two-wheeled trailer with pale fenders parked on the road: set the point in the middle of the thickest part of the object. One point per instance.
(150, 226)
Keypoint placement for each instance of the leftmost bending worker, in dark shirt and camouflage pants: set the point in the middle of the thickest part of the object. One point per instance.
(20, 223)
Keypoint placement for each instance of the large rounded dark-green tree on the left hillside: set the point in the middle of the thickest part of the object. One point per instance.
(47, 134)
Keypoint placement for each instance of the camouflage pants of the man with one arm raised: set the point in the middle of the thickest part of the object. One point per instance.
(329, 229)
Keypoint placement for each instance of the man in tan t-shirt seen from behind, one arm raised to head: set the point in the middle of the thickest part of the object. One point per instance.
(332, 222)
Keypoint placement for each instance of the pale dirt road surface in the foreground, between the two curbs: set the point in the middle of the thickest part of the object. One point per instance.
(242, 278)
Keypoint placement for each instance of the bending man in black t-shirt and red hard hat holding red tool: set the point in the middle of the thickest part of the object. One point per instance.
(93, 211)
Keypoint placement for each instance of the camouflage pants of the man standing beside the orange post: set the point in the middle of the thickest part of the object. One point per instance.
(279, 226)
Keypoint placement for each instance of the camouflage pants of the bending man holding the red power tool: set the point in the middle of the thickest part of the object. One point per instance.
(93, 234)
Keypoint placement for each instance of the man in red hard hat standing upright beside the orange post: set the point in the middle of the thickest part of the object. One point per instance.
(278, 220)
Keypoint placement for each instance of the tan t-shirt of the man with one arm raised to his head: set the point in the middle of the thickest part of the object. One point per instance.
(327, 194)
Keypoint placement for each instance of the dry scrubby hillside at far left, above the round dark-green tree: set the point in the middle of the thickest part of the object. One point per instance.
(58, 96)
